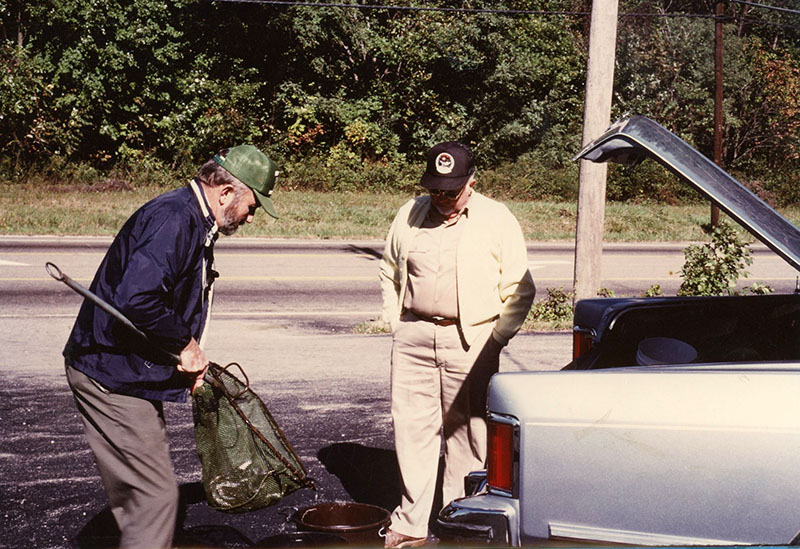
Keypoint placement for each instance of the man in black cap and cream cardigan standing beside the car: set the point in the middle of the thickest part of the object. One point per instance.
(456, 287)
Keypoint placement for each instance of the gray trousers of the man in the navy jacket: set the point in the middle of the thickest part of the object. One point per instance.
(128, 437)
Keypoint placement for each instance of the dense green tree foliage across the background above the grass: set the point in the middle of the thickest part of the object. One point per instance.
(112, 82)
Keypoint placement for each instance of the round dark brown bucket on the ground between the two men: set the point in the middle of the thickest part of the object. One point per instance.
(358, 523)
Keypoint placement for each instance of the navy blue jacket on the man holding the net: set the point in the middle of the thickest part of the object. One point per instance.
(158, 273)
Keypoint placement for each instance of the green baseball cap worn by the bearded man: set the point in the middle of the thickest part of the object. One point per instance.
(253, 168)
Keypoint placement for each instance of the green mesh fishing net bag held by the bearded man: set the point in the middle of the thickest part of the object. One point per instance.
(247, 462)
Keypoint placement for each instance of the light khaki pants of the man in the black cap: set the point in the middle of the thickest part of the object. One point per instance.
(438, 389)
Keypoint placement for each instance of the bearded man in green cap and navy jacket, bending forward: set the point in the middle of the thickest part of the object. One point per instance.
(159, 273)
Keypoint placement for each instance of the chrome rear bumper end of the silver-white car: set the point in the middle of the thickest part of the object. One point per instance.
(485, 518)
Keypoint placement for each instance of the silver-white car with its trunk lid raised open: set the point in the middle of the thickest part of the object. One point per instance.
(678, 421)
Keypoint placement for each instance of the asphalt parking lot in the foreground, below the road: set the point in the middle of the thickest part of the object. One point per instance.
(329, 391)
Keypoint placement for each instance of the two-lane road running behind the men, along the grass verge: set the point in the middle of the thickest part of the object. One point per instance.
(336, 278)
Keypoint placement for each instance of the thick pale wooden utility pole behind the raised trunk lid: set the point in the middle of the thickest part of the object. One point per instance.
(596, 118)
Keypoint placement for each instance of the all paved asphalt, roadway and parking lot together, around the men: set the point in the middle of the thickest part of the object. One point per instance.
(285, 312)
